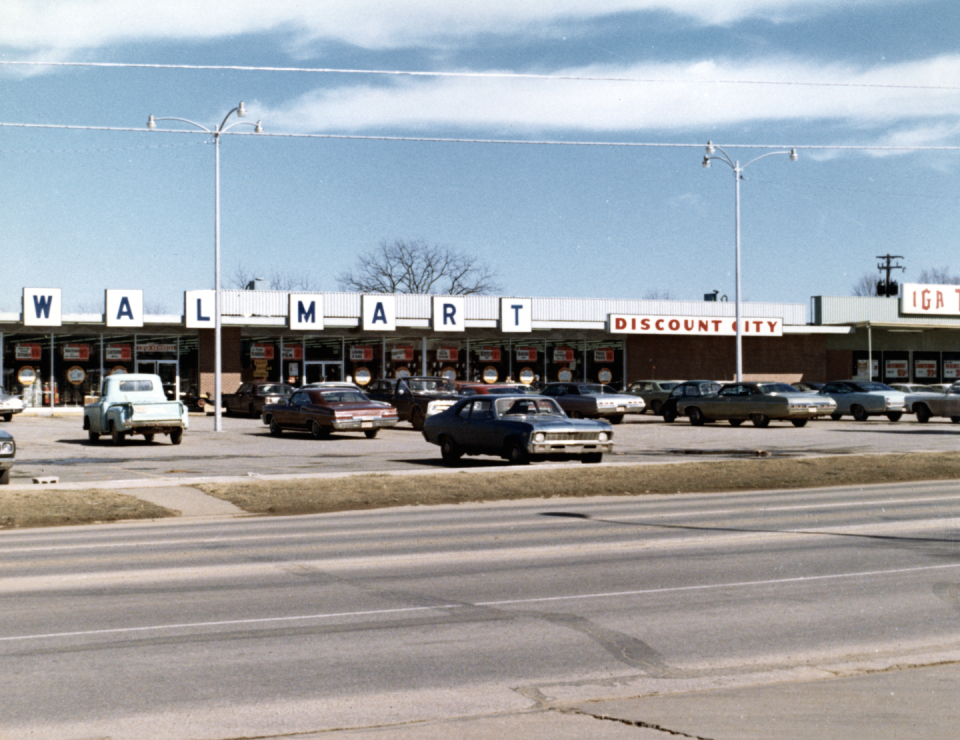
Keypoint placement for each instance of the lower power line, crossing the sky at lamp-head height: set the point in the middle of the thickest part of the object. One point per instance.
(528, 142)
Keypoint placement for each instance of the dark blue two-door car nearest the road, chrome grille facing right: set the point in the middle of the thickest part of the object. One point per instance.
(516, 428)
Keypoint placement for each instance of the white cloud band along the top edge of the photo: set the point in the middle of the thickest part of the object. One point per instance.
(50, 25)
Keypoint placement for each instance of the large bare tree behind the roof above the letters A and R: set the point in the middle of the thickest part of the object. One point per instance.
(417, 267)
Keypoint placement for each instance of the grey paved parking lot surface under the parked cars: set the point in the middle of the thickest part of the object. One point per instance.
(57, 446)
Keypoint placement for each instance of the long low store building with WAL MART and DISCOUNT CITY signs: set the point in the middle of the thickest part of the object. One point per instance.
(57, 359)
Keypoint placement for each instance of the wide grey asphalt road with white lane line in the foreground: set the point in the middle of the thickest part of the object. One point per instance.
(495, 612)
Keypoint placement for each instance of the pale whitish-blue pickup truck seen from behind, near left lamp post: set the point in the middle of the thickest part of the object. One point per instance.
(135, 404)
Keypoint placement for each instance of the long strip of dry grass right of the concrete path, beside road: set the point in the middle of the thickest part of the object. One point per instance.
(314, 496)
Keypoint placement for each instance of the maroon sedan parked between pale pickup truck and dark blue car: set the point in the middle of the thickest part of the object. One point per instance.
(322, 411)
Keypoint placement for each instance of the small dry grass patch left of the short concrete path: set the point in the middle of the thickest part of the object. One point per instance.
(57, 508)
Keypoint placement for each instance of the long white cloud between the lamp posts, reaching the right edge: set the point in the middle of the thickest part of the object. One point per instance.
(538, 105)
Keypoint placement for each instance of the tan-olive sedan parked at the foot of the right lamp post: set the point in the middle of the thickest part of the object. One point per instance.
(758, 402)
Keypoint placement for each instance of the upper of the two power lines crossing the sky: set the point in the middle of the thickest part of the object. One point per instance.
(497, 75)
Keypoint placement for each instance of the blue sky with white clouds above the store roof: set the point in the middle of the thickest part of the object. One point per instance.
(89, 210)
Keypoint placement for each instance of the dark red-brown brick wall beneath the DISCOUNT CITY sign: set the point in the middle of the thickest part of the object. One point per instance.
(789, 358)
